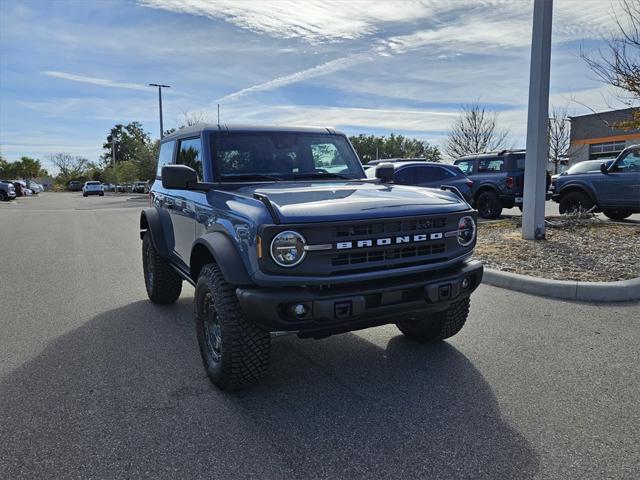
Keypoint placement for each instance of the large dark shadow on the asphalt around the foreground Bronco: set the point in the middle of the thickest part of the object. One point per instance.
(125, 395)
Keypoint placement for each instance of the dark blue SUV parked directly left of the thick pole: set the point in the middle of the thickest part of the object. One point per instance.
(498, 180)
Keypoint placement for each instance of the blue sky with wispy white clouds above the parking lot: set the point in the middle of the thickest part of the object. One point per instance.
(69, 70)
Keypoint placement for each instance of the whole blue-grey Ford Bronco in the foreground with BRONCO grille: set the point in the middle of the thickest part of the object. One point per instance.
(279, 230)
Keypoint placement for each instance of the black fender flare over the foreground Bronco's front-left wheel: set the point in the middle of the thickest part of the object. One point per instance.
(218, 247)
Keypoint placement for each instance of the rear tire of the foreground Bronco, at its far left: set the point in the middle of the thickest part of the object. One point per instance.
(162, 282)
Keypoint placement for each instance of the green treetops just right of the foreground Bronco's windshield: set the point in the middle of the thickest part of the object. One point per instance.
(370, 147)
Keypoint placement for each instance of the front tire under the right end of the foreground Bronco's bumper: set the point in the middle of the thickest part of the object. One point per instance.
(437, 326)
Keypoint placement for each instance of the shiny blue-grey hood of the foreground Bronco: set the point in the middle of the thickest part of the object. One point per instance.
(306, 202)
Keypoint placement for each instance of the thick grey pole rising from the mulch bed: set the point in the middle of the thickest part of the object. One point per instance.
(535, 172)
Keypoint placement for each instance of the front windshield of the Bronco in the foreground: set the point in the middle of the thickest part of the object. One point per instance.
(284, 156)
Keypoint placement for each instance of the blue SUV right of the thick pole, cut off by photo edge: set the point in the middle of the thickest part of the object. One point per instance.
(615, 190)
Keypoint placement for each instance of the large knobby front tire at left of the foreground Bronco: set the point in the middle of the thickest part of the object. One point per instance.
(243, 350)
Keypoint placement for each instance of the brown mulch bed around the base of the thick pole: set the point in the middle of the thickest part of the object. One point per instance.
(589, 250)
